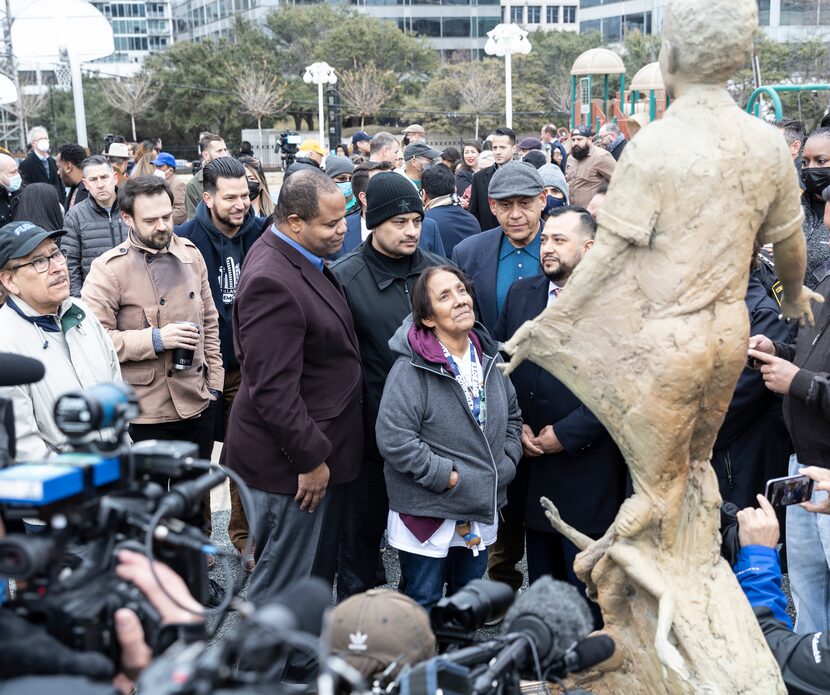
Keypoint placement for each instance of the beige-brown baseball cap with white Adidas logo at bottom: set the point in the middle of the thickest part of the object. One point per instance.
(375, 628)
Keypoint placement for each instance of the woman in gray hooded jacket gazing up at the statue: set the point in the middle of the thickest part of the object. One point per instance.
(449, 429)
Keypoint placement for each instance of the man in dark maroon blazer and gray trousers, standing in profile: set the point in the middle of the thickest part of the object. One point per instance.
(294, 429)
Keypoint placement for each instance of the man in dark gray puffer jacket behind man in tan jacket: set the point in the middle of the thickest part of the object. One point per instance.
(94, 225)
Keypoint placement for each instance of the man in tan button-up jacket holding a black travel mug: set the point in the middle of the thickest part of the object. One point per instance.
(152, 295)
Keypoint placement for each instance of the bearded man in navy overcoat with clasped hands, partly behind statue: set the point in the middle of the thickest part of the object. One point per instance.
(568, 455)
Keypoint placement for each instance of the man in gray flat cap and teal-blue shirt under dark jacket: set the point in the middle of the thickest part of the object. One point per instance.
(495, 259)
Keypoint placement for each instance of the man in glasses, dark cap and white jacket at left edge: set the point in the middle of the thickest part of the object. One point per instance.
(41, 320)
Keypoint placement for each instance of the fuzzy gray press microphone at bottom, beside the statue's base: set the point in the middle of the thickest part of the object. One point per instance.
(552, 616)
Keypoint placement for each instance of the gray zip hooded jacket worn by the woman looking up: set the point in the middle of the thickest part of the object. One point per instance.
(425, 430)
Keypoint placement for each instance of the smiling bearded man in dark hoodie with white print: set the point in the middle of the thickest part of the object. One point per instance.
(224, 229)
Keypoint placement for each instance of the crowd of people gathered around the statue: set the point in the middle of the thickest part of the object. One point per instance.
(344, 335)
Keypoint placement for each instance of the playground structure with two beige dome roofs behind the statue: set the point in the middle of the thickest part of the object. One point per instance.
(644, 101)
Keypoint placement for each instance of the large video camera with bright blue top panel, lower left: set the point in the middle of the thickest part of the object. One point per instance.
(82, 507)
